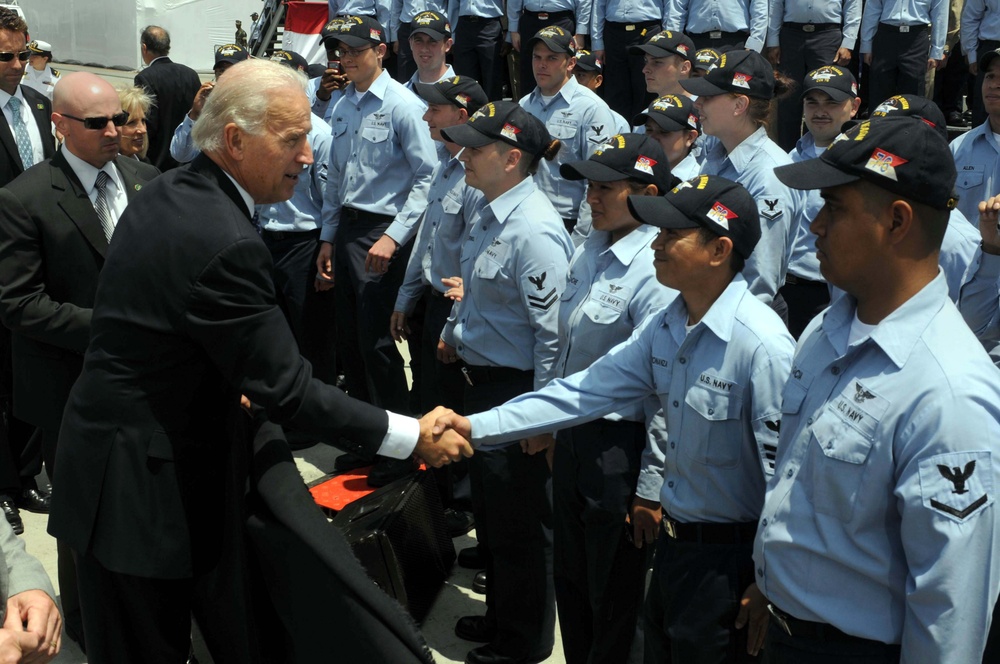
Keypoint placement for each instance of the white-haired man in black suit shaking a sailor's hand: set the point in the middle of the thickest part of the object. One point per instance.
(185, 320)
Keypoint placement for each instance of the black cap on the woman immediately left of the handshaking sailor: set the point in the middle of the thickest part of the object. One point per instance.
(624, 156)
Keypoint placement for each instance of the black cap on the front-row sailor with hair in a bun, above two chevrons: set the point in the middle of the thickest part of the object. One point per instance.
(503, 121)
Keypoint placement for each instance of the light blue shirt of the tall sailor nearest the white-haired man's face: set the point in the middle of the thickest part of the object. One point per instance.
(383, 158)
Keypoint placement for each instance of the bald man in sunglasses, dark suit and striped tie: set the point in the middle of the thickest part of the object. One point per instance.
(52, 245)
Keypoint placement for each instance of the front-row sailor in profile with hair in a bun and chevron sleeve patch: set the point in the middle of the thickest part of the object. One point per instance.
(514, 267)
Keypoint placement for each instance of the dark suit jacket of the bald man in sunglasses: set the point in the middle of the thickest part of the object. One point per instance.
(51, 251)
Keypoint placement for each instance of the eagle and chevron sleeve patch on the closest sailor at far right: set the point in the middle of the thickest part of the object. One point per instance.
(957, 485)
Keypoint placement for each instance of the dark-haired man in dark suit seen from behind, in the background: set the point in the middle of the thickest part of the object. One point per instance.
(174, 86)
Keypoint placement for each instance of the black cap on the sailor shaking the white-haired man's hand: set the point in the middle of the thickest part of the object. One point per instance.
(707, 201)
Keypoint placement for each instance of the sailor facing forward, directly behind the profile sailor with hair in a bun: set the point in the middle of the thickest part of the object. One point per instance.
(572, 113)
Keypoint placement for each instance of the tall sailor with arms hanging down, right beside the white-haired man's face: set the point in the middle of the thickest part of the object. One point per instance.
(380, 171)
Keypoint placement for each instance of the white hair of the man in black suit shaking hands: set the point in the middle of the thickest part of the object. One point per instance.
(242, 97)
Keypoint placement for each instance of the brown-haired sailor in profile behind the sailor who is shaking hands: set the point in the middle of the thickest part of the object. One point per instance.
(734, 104)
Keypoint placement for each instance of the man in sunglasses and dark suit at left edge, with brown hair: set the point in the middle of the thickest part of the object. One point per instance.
(25, 140)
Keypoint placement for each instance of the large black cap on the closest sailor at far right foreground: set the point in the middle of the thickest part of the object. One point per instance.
(903, 155)
